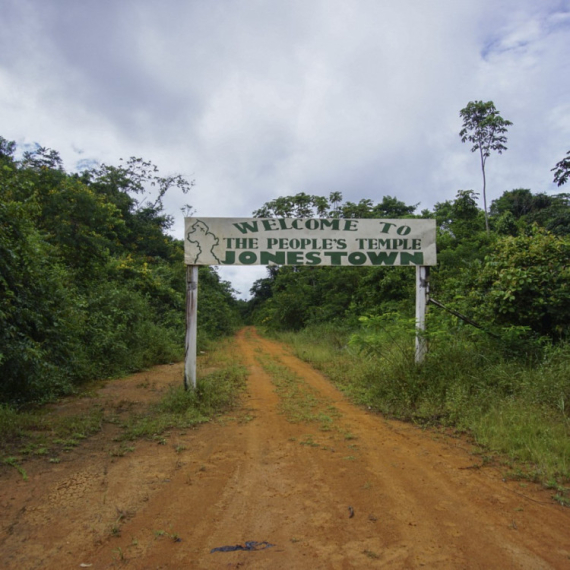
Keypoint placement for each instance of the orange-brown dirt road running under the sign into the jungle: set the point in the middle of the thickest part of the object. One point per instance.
(341, 489)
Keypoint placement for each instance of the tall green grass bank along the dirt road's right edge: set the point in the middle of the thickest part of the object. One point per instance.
(511, 403)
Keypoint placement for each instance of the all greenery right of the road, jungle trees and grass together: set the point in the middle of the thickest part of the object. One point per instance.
(506, 383)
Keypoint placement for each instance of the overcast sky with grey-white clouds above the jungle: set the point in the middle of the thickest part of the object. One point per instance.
(255, 99)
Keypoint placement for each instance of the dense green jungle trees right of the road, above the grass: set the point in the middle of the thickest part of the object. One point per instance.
(515, 277)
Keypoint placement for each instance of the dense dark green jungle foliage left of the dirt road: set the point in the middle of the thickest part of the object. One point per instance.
(91, 284)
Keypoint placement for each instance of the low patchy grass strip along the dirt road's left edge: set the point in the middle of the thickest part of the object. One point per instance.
(40, 432)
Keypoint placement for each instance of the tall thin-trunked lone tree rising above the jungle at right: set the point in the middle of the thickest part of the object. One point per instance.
(485, 128)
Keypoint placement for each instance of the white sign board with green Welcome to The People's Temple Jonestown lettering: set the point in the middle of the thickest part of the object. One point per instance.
(309, 241)
